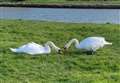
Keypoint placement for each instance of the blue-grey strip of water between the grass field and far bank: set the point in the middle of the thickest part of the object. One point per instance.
(62, 15)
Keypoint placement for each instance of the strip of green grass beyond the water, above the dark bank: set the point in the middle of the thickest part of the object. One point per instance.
(67, 1)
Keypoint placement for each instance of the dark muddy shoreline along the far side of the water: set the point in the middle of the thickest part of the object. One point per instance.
(56, 5)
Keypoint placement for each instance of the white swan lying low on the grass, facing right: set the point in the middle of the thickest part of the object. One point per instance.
(34, 48)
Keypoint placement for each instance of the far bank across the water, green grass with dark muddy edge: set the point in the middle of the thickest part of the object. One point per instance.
(108, 4)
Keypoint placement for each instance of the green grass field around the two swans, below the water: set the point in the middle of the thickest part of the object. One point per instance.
(71, 67)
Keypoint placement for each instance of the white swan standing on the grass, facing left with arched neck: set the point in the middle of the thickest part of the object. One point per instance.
(90, 44)
